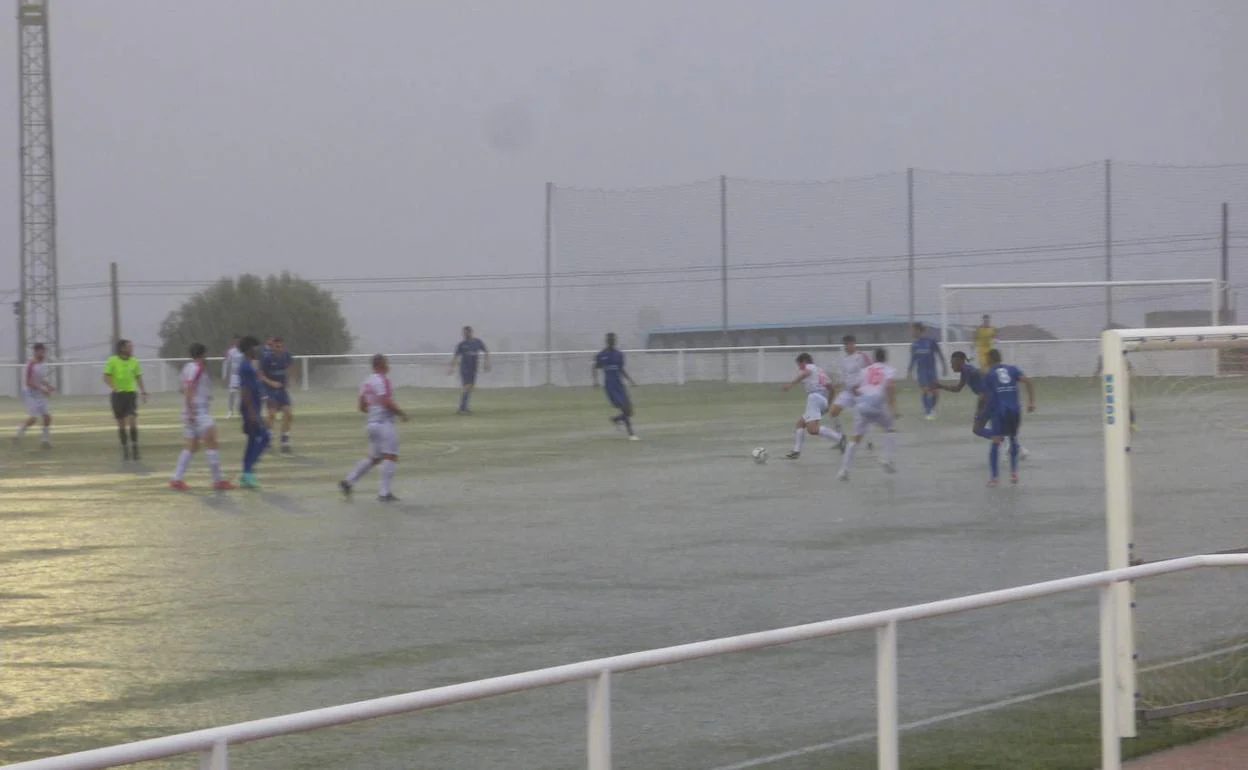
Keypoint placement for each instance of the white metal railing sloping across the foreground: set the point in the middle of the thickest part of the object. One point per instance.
(214, 744)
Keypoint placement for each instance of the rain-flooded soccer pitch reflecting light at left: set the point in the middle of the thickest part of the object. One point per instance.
(532, 535)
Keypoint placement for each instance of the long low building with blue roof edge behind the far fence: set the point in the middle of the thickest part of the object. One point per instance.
(869, 330)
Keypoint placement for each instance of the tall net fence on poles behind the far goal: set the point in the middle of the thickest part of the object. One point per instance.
(747, 254)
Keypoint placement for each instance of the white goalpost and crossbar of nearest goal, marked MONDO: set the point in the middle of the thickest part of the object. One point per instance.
(1120, 520)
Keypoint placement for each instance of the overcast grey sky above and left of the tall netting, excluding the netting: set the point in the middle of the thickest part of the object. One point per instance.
(397, 138)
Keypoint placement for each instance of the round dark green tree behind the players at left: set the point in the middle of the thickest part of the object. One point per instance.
(303, 314)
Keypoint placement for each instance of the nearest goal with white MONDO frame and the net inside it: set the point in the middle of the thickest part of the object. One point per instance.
(1176, 487)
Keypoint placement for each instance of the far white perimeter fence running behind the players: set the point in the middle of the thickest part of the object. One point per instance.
(676, 366)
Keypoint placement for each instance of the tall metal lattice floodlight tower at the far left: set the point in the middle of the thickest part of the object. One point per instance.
(39, 310)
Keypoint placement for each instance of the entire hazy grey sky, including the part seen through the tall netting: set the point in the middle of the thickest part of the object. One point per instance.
(399, 153)
